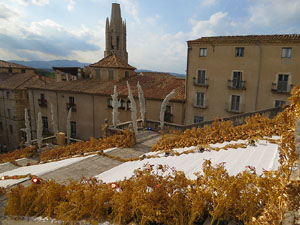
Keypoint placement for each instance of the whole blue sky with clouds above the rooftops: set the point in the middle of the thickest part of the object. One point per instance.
(157, 30)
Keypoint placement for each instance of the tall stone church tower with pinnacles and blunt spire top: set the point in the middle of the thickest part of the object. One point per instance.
(115, 34)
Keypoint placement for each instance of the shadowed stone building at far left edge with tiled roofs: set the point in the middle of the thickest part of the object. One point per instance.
(13, 101)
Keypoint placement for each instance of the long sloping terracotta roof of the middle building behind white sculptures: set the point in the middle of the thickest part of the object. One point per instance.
(154, 86)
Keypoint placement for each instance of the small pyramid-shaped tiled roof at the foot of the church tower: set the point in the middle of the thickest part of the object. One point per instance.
(112, 61)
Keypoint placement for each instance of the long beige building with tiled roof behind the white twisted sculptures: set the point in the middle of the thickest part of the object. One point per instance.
(91, 101)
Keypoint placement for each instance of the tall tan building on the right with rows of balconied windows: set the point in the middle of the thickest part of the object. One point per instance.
(227, 75)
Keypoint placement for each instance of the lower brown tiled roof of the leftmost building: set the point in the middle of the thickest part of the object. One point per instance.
(23, 80)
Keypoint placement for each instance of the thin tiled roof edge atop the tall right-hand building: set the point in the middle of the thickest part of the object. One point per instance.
(250, 38)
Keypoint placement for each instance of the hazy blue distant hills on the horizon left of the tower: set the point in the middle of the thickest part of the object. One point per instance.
(46, 65)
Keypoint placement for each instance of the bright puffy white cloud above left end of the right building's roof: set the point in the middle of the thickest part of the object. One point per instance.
(208, 27)
